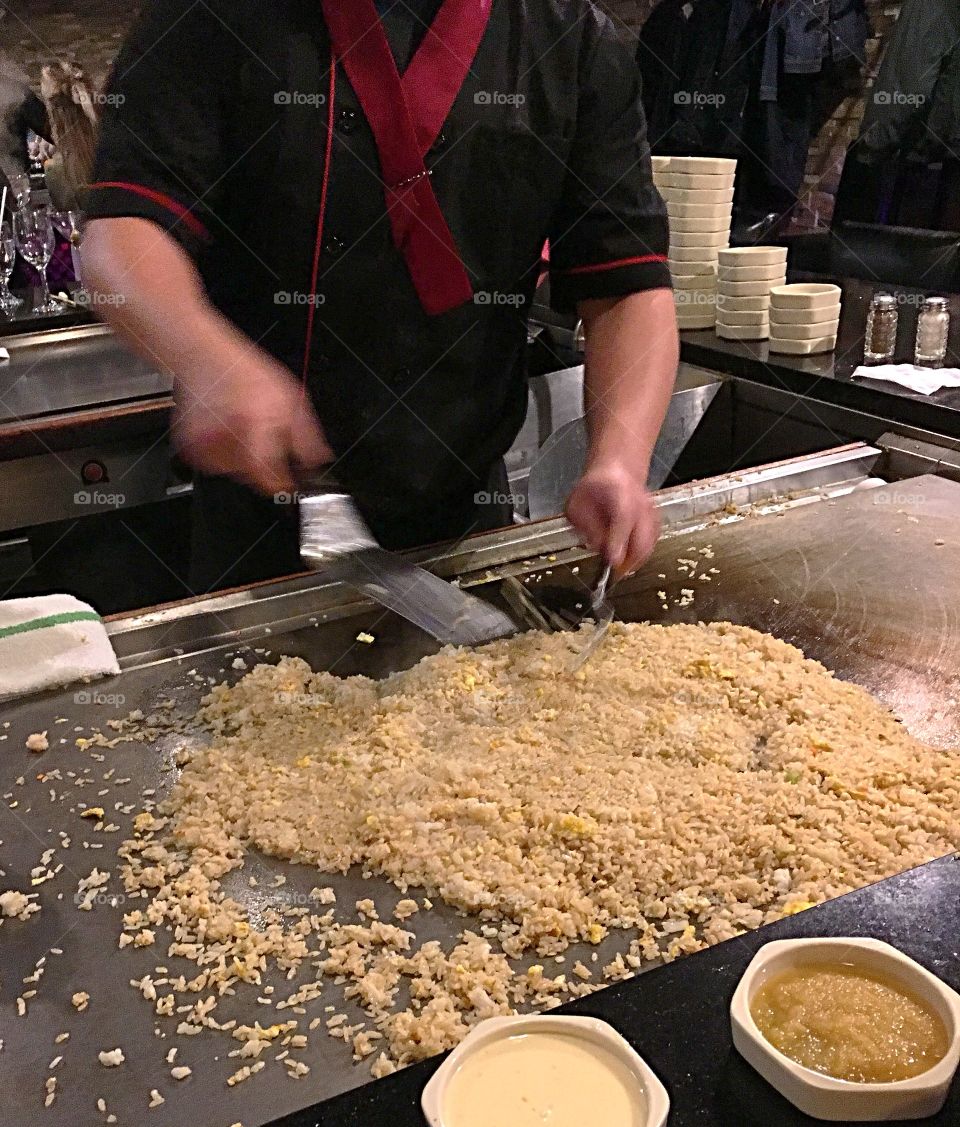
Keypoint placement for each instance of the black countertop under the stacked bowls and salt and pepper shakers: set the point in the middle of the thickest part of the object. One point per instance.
(829, 377)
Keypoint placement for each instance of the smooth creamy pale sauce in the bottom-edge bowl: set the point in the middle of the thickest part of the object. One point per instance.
(544, 1080)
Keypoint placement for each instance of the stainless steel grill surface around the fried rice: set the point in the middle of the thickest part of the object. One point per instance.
(828, 557)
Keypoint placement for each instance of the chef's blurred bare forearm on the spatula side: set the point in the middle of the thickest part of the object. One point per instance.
(147, 288)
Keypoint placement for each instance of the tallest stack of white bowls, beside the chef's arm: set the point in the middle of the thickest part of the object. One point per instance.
(699, 193)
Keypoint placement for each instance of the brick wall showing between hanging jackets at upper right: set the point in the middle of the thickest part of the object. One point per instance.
(829, 148)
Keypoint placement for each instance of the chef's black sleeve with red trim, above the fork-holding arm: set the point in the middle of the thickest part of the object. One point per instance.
(610, 235)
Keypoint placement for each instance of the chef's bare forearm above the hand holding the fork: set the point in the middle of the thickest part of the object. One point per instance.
(632, 362)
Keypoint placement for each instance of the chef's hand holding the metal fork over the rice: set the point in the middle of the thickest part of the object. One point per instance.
(616, 517)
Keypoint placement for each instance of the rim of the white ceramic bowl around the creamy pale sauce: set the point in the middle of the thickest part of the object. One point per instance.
(591, 1030)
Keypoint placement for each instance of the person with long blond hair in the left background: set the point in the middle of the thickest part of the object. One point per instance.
(70, 103)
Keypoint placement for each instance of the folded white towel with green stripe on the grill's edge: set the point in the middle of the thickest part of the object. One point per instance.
(51, 642)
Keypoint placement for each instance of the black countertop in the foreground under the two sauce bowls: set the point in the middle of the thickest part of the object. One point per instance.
(677, 1016)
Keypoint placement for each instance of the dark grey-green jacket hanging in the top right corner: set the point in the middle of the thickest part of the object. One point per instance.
(915, 102)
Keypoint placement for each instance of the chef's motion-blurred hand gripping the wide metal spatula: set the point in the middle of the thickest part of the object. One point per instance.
(248, 420)
